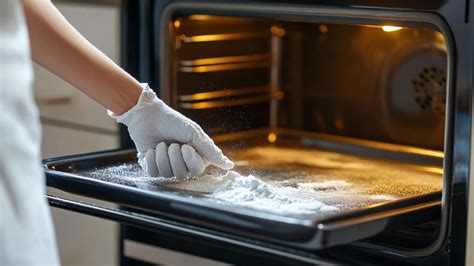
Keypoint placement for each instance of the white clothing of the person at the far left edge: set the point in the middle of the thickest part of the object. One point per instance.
(26, 230)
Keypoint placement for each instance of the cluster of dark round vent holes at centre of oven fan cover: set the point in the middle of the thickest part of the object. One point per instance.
(430, 89)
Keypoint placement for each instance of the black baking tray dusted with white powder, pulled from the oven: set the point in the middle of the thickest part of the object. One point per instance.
(360, 196)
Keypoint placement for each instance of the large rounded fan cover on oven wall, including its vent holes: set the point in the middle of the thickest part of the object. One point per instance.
(413, 93)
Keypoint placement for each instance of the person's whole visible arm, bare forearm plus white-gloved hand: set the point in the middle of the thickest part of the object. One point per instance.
(167, 142)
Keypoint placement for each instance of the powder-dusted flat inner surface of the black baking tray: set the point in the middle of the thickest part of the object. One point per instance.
(289, 181)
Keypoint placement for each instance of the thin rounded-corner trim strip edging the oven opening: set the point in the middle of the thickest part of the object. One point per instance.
(353, 16)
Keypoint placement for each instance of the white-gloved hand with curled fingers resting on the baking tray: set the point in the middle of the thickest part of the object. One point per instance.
(152, 125)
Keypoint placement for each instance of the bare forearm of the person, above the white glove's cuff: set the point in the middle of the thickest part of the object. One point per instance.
(58, 47)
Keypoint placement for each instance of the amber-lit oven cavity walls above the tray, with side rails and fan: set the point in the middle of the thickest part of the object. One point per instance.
(382, 83)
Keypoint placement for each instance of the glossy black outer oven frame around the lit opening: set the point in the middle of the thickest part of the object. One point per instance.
(142, 38)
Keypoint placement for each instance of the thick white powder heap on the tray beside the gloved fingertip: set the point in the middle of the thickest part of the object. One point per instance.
(249, 191)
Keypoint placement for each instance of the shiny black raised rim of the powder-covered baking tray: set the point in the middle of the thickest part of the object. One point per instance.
(317, 227)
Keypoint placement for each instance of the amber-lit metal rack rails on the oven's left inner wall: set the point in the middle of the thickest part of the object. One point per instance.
(230, 63)
